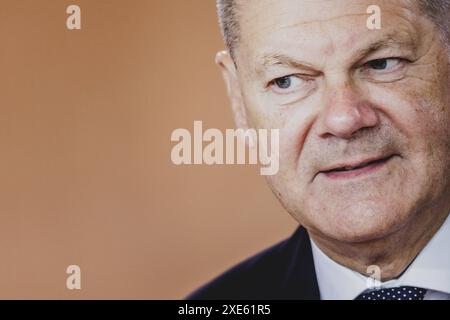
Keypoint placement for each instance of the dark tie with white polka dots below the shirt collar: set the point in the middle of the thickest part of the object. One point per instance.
(398, 293)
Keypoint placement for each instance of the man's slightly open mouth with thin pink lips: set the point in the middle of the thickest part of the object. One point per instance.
(346, 171)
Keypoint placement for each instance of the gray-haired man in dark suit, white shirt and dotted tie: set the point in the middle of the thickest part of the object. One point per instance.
(363, 112)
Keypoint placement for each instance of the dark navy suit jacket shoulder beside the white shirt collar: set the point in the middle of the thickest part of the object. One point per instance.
(283, 271)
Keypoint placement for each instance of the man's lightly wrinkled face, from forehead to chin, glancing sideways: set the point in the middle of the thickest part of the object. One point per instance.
(364, 115)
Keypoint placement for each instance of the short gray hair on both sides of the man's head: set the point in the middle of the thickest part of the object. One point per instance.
(437, 10)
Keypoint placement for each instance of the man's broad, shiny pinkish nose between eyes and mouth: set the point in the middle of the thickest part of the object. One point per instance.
(346, 112)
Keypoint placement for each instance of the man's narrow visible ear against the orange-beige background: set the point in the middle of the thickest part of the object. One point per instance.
(229, 73)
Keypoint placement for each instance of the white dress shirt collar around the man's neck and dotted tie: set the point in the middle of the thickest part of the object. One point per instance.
(430, 270)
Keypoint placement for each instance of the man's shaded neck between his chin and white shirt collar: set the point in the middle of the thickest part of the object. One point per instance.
(392, 253)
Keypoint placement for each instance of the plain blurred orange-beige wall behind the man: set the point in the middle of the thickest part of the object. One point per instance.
(85, 170)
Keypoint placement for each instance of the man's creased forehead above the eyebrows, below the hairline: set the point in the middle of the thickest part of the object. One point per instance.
(319, 24)
